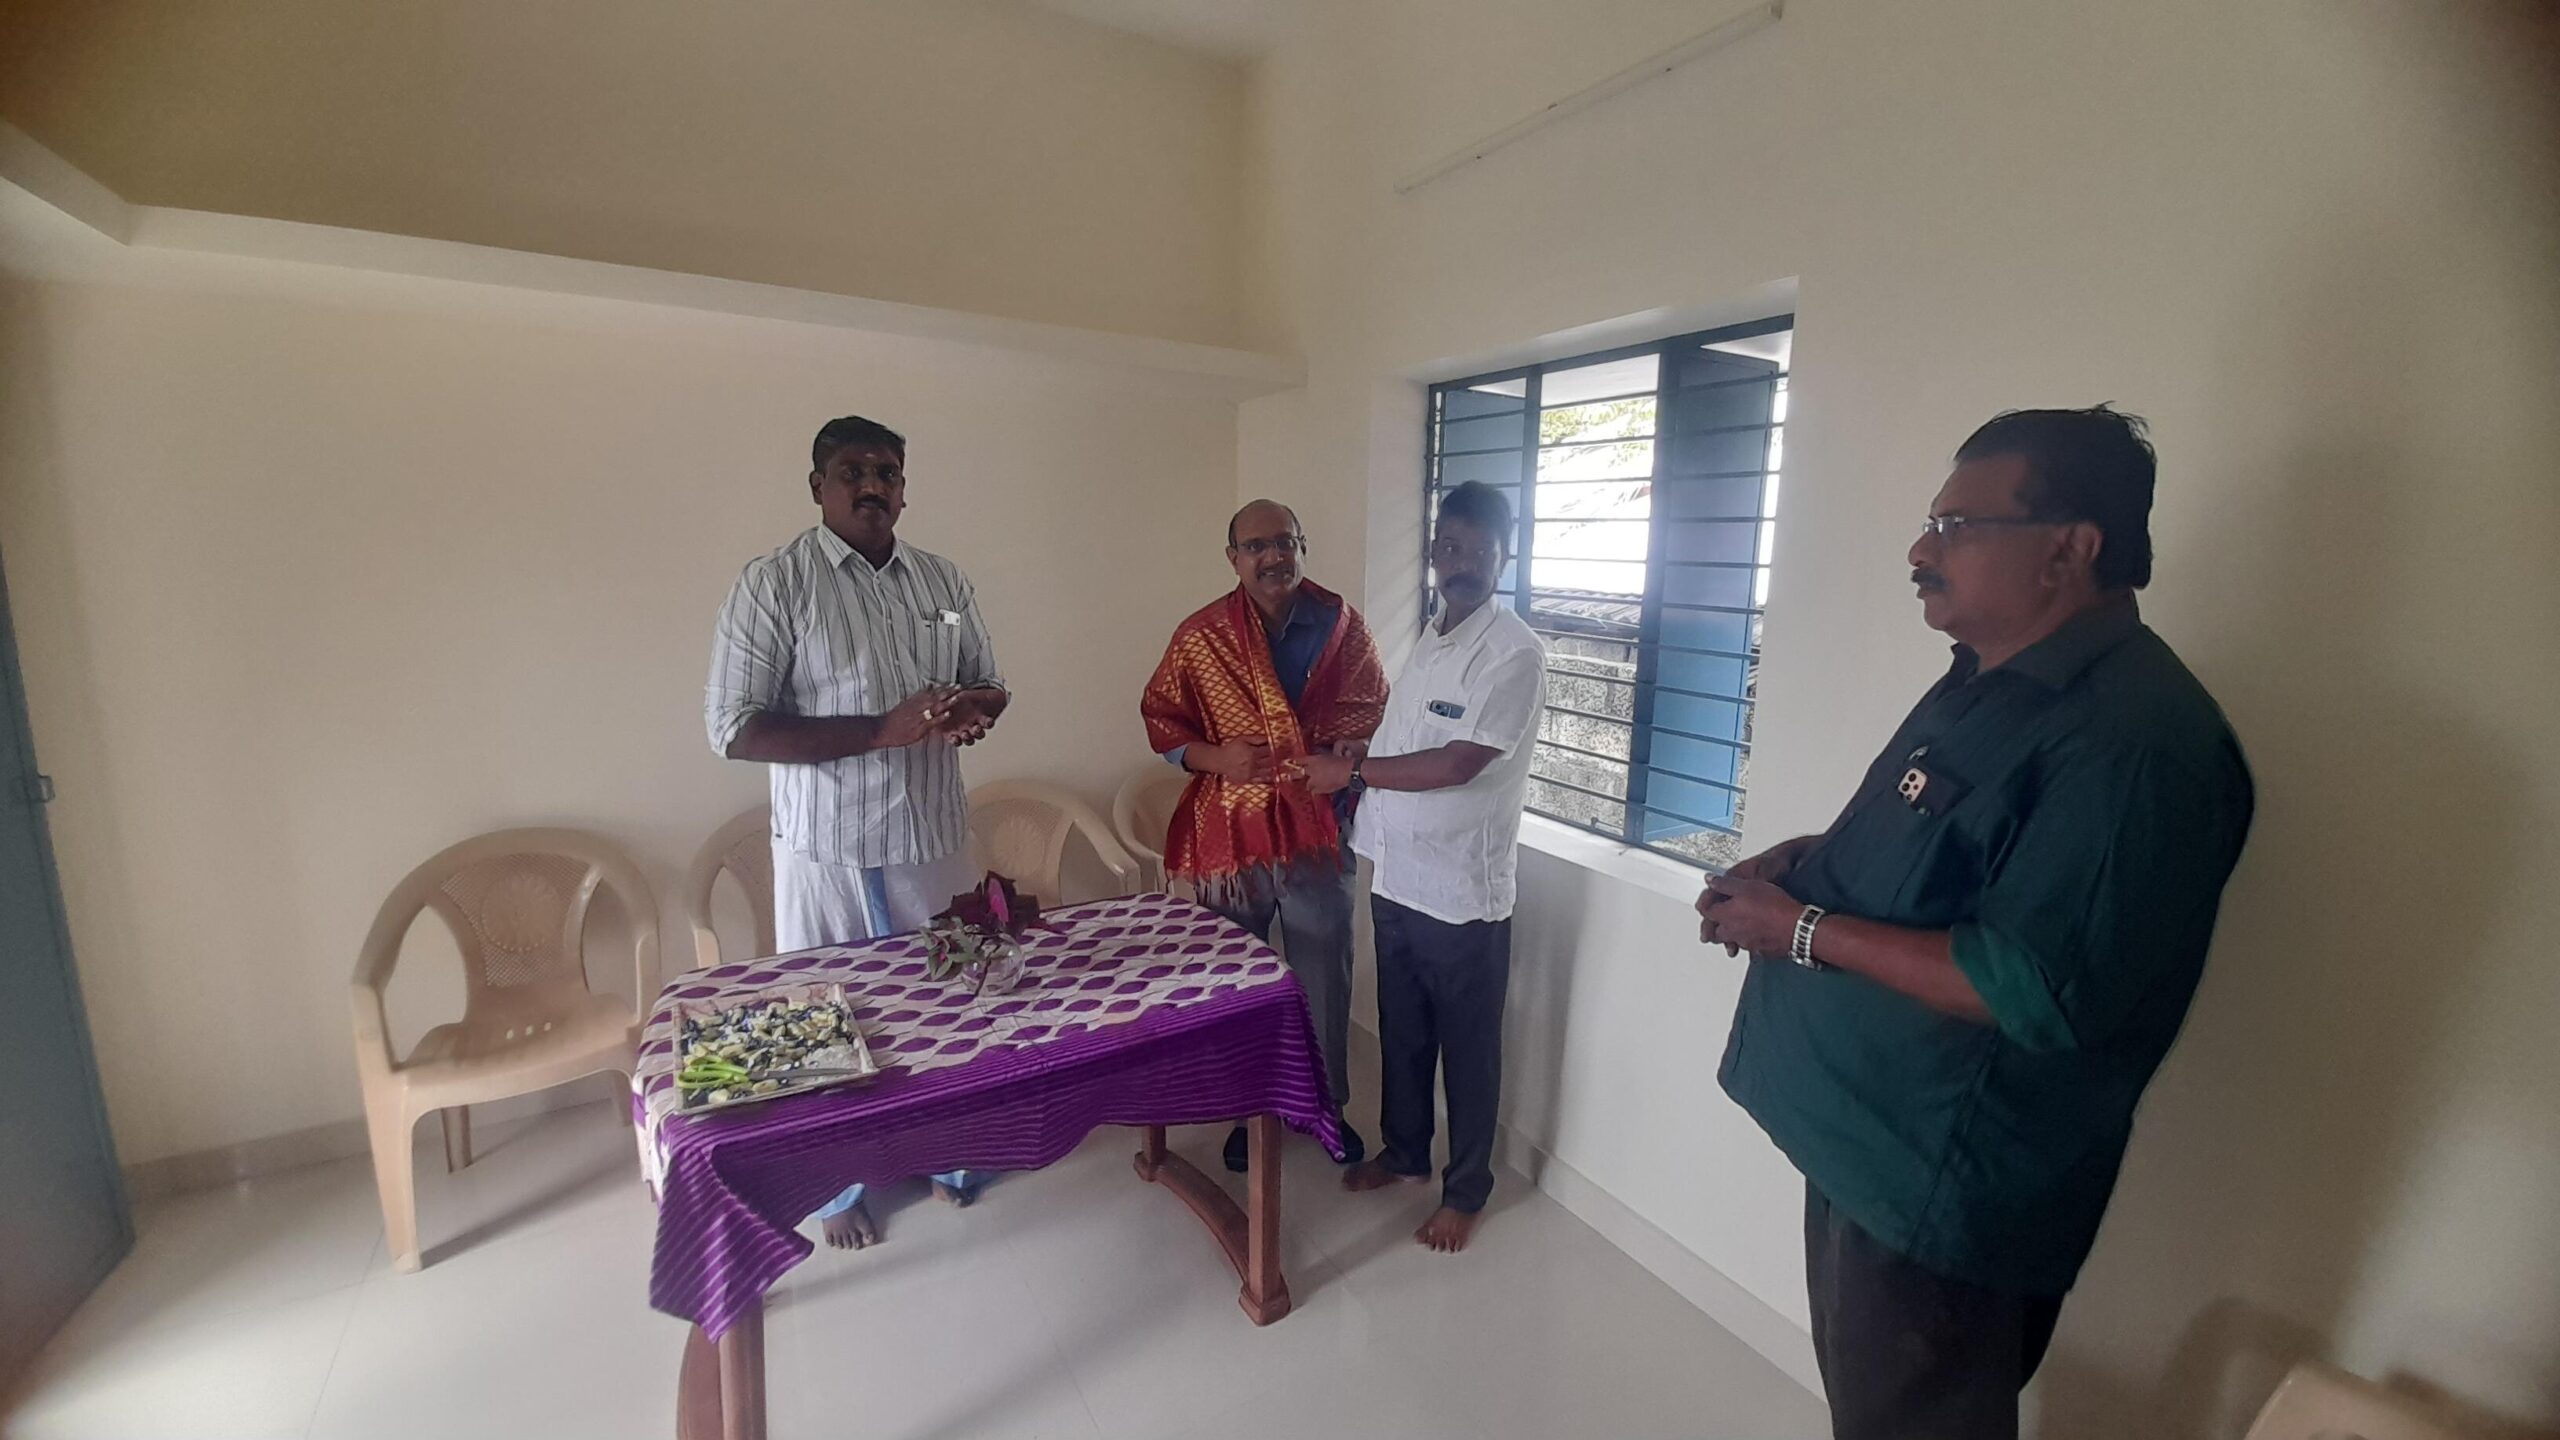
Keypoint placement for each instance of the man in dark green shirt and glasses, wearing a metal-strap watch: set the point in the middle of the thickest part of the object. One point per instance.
(1962, 988)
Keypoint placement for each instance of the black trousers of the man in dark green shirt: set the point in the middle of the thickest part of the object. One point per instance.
(1911, 1354)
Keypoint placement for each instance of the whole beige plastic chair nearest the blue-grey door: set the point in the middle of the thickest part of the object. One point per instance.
(518, 906)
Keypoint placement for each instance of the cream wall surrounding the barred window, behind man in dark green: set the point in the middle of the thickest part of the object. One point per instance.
(2318, 247)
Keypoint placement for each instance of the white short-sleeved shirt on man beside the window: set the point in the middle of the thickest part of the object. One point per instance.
(1453, 855)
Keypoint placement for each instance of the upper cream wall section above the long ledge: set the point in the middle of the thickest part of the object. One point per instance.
(972, 155)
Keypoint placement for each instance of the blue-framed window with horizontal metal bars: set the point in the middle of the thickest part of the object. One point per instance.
(1645, 483)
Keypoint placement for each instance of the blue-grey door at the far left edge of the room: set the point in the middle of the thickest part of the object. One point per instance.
(63, 1203)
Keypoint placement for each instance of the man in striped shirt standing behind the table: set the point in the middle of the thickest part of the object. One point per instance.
(854, 667)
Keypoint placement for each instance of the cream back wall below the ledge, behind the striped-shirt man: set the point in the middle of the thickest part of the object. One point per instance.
(308, 591)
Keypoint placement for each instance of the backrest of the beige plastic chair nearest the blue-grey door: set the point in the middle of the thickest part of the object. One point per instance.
(516, 903)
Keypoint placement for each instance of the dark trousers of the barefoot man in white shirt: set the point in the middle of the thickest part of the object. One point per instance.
(1440, 1006)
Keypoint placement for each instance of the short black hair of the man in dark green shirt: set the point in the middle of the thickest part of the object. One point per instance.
(2083, 465)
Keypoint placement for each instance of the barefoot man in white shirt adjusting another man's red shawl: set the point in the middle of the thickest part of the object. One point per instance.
(1440, 824)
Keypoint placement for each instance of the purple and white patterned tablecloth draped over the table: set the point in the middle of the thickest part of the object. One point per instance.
(1143, 1011)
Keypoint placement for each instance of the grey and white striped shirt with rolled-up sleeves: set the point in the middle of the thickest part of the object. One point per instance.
(815, 629)
